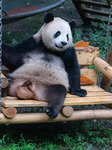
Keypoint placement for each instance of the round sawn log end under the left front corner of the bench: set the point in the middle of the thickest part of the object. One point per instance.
(9, 112)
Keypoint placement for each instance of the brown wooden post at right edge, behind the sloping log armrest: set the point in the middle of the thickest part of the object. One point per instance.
(106, 82)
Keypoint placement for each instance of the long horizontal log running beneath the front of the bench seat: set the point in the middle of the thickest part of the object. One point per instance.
(44, 118)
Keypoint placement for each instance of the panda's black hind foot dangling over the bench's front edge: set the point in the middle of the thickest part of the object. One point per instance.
(51, 112)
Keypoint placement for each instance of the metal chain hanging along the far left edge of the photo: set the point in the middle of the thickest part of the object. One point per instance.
(0, 48)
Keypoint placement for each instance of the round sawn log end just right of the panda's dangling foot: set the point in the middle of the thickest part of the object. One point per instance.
(67, 111)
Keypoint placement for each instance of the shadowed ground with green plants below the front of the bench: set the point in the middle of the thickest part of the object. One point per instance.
(76, 136)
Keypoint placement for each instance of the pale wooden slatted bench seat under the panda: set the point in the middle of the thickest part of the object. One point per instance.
(97, 96)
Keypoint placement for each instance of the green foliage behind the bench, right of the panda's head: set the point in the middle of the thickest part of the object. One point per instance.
(96, 36)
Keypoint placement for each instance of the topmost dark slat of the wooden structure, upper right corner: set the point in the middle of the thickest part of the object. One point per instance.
(98, 4)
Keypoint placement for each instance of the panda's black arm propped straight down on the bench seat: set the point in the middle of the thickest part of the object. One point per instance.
(73, 69)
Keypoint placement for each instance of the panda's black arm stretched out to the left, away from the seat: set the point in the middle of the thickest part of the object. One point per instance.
(12, 55)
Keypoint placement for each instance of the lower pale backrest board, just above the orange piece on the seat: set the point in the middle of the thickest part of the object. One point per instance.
(91, 74)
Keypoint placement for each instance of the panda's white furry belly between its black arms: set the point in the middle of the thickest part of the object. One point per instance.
(44, 69)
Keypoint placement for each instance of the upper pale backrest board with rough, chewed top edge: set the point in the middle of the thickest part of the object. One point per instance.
(85, 55)
